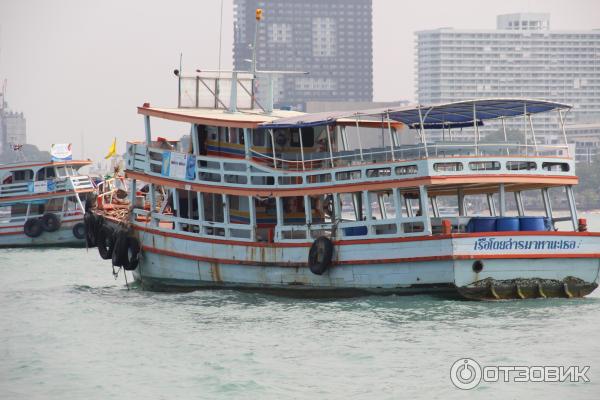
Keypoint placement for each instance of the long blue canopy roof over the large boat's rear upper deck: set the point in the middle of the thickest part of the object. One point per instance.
(448, 115)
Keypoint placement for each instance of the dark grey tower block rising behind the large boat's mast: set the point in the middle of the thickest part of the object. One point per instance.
(331, 40)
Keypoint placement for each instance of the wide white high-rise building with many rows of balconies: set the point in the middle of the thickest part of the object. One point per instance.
(522, 57)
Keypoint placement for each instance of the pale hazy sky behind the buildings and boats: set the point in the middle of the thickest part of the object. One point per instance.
(79, 68)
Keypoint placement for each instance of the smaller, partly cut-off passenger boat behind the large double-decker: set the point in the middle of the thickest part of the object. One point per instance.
(41, 203)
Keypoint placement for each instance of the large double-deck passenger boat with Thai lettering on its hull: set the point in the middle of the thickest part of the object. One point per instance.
(334, 204)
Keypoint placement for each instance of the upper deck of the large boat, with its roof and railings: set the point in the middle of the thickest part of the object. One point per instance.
(254, 153)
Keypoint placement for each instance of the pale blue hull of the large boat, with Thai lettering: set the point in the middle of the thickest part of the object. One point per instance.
(419, 265)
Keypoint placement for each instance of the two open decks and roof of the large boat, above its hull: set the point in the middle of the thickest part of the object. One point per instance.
(261, 175)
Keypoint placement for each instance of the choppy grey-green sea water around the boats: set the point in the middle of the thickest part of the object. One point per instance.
(68, 330)
